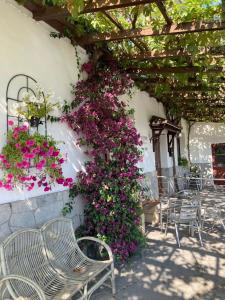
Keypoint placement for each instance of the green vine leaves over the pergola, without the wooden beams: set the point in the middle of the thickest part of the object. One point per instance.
(201, 46)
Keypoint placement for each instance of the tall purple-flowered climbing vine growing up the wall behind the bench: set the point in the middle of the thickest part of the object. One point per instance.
(110, 182)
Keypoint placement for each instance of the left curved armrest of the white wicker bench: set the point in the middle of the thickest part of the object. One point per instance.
(29, 282)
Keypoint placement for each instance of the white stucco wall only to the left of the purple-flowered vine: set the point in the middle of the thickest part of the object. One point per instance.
(27, 48)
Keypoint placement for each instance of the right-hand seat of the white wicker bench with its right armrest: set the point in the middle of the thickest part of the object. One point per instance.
(65, 256)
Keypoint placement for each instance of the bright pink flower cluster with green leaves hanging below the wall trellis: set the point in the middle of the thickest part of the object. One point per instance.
(31, 159)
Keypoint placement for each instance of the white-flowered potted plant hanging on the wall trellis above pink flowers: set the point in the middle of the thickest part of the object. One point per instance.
(35, 107)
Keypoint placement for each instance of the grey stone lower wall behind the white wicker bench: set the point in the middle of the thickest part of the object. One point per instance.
(32, 213)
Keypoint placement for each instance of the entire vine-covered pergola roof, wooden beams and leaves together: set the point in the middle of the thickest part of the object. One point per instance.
(172, 49)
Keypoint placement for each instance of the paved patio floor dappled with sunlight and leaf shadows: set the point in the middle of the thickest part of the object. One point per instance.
(162, 271)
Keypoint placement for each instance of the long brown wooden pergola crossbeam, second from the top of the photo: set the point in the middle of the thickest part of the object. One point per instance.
(174, 29)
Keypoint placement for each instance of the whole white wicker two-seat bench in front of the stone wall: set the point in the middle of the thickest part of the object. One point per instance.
(33, 270)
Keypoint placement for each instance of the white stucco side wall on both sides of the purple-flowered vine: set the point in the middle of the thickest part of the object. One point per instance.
(27, 48)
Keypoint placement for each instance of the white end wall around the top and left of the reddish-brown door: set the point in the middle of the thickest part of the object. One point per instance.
(202, 136)
